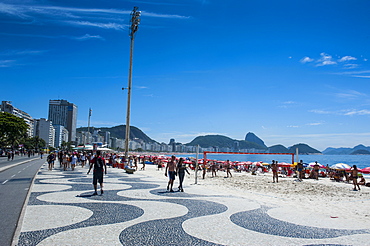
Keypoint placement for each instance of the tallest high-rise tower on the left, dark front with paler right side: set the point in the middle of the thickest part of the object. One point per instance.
(62, 112)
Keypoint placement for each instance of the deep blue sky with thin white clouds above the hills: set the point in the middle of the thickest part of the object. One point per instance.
(288, 71)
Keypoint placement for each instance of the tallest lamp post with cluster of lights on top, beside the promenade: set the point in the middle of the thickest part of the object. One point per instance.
(135, 21)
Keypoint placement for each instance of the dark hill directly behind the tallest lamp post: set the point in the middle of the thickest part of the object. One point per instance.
(120, 132)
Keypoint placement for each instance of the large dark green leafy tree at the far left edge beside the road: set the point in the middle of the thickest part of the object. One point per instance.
(12, 129)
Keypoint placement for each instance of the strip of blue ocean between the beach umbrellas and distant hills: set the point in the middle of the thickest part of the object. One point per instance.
(361, 161)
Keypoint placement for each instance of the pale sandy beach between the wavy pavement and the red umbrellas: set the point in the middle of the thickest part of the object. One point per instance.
(307, 202)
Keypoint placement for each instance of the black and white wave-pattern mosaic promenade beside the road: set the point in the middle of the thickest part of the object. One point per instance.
(137, 210)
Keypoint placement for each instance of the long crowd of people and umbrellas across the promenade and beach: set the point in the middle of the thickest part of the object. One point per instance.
(179, 166)
